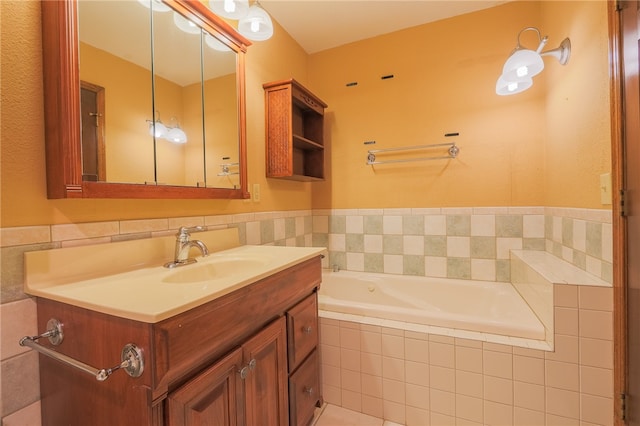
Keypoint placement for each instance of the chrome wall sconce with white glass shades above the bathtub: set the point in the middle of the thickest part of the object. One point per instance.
(523, 64)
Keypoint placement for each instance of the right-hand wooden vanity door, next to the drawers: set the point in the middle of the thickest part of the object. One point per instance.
(266, 387)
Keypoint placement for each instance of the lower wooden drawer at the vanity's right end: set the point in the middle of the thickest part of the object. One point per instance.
(304, 391)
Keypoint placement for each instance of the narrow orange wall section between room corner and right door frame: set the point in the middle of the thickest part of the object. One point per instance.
(577, 109)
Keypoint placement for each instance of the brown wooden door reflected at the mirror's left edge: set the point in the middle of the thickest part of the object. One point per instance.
(93, 132)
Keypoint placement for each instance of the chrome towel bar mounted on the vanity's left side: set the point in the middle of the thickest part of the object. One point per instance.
(132, 359)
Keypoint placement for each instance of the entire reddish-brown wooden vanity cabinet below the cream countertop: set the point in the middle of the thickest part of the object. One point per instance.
(227, 362)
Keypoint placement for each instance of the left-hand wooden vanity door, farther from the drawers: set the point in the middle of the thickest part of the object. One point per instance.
(214, 397)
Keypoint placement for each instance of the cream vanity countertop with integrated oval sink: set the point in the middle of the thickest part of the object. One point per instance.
(152, 294)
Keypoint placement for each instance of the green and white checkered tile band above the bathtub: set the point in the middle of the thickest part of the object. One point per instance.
(463, 243)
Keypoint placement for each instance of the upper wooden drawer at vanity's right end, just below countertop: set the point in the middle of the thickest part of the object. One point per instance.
(302, 330)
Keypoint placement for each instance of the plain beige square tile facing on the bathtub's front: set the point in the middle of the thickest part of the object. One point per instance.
(418, 378)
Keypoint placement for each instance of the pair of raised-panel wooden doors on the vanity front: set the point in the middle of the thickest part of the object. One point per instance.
(245, 387)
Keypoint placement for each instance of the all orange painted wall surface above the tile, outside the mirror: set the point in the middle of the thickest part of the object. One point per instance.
(537, 148)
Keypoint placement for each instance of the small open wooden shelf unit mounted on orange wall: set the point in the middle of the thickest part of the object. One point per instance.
(294, 132)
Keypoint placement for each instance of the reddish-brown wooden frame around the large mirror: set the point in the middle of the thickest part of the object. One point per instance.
(61, 75)
